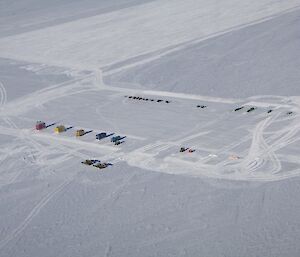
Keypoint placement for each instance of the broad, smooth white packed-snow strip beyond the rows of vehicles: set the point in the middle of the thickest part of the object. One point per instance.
(112, 37)
